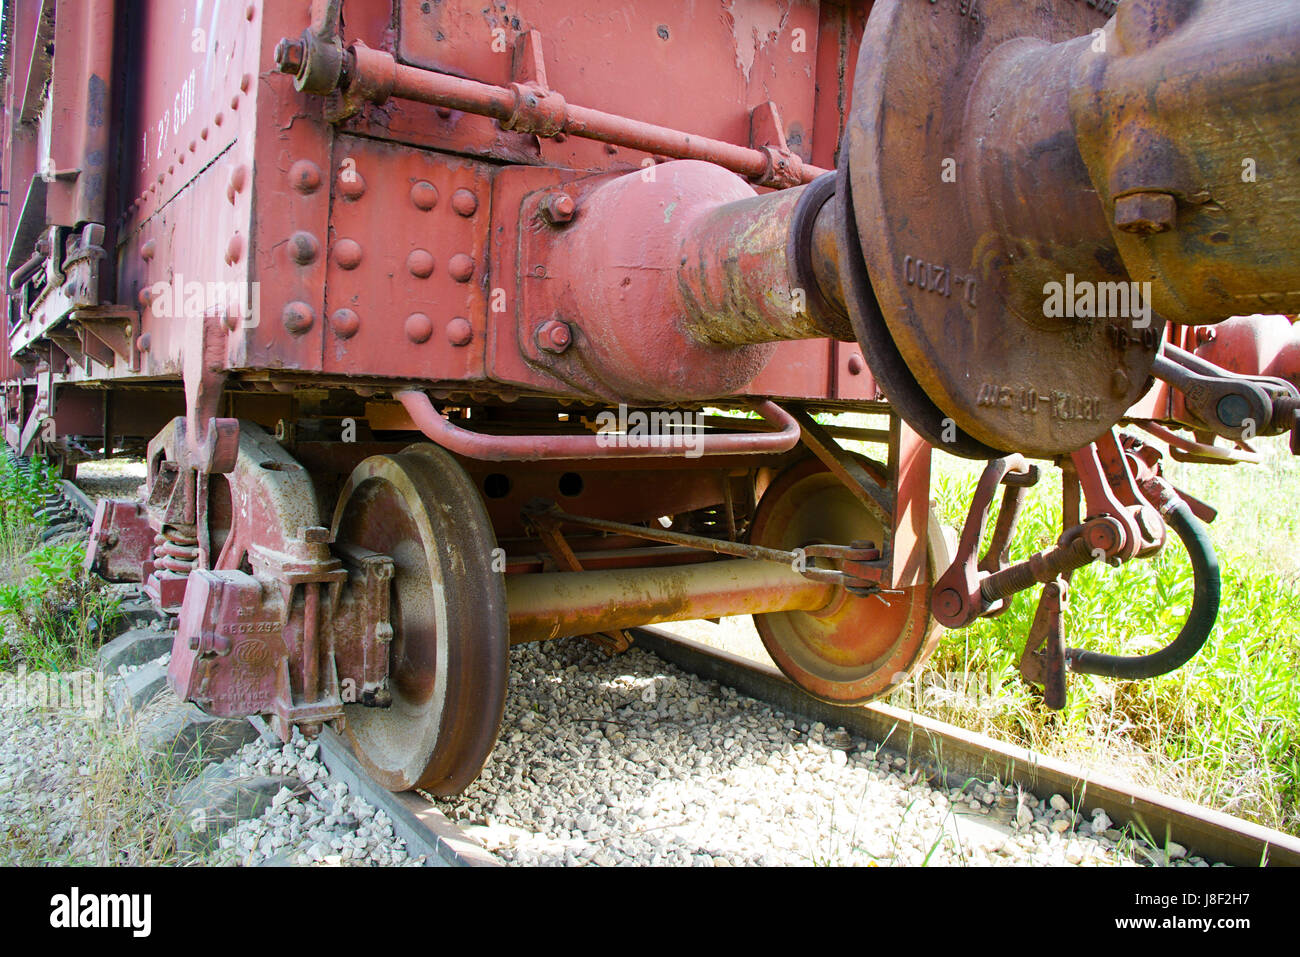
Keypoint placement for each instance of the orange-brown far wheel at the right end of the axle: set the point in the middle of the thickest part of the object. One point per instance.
(856, 648)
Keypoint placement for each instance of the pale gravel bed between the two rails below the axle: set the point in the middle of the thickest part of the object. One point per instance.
(629, 761)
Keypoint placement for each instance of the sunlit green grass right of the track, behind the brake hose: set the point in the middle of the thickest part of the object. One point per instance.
(1224, 730)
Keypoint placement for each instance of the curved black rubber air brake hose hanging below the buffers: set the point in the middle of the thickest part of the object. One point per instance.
(1201, 617)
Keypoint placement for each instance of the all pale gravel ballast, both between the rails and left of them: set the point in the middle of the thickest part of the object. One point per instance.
(603, 761)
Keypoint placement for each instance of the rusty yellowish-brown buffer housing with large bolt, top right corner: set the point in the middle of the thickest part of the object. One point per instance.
(1203, 198)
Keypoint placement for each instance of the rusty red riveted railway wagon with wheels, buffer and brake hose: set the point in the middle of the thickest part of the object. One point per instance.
(427, 317)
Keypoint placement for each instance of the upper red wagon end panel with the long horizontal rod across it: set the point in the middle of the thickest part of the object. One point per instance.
(540, 50)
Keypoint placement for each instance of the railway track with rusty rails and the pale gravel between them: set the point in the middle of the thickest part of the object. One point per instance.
(980, 791)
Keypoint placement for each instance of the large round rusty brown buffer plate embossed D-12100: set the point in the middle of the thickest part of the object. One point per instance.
(961, 240)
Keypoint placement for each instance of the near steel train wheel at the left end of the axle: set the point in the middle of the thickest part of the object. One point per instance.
(449, 659)
